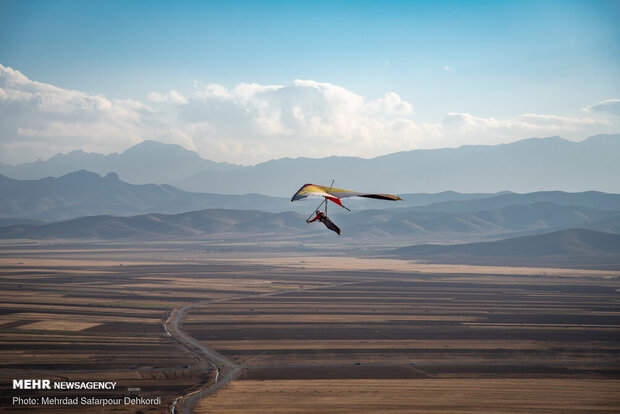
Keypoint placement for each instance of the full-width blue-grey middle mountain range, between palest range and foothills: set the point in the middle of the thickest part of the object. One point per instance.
(84, 193)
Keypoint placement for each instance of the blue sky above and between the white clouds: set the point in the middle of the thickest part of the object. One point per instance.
(487, 59)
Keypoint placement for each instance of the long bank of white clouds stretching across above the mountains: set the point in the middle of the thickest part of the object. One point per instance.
(251, 123)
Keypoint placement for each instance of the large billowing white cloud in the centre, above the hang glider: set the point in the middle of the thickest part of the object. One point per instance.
(304, 118)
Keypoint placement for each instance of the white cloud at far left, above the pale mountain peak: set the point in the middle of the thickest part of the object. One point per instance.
(39, 120)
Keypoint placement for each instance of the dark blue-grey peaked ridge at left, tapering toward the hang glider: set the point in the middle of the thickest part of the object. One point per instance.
(84, 193)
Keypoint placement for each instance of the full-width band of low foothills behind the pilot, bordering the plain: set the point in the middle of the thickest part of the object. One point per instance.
(389, 227)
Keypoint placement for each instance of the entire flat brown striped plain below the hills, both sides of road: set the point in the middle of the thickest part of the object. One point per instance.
(309, 332)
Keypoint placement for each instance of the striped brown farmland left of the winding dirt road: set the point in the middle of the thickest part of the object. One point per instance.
(96, 313)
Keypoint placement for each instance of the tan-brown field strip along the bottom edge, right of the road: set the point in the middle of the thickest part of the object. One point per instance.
(419, 396)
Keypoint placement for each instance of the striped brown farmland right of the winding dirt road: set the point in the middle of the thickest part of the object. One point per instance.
(430, 341)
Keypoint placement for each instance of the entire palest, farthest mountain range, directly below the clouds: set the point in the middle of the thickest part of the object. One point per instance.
(536, 164)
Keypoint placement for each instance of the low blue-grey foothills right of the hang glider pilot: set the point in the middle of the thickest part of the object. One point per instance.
(509, 221)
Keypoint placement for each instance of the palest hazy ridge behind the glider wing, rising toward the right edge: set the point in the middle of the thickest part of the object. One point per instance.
(523, 166)
